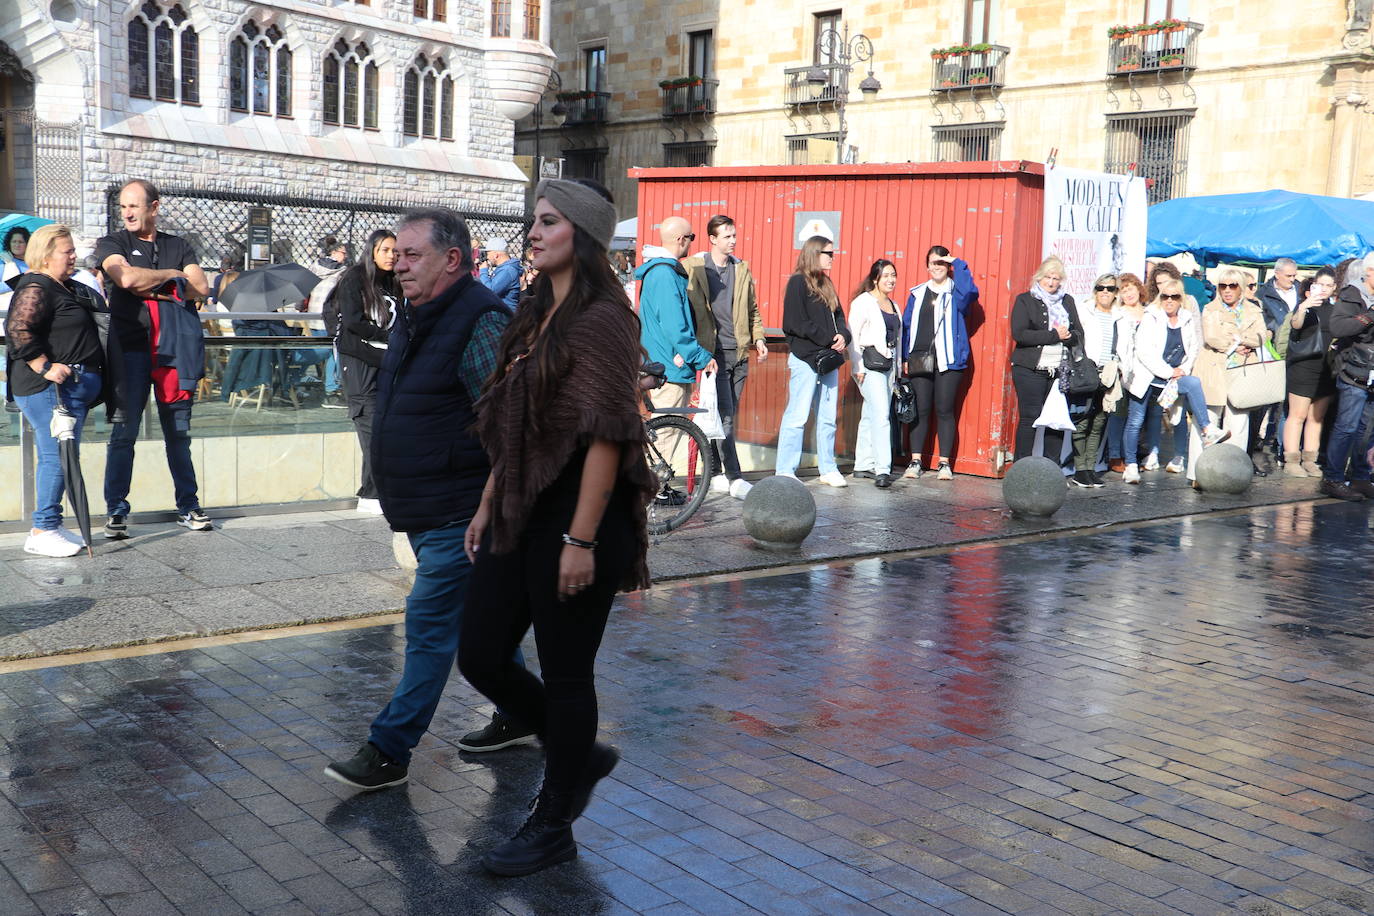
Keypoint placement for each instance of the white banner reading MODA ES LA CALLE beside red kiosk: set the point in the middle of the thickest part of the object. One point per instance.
(1096, 223)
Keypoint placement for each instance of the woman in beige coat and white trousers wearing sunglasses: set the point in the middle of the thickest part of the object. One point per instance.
(1233, 332)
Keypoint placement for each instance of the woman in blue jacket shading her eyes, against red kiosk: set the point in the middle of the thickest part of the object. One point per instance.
(934, 329)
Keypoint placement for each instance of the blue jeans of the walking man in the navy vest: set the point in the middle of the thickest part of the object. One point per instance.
(433, 613)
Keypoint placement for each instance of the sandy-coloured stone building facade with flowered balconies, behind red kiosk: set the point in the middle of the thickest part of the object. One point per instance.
(1203, 97)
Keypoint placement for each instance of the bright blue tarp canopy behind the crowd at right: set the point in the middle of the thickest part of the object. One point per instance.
(1262, 227)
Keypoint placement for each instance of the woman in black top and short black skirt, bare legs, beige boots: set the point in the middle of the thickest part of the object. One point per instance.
(1310, 381)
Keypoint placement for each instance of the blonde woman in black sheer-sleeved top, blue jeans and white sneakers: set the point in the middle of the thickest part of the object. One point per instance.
(54, 360)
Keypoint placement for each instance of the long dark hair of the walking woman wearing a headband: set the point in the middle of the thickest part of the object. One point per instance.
(594, 281)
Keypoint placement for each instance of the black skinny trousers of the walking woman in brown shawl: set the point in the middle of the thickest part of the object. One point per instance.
(509, 593)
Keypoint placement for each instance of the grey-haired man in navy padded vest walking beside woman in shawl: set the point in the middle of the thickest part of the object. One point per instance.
(429, 472)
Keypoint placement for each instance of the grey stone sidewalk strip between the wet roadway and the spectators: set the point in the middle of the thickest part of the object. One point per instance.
(319, 566)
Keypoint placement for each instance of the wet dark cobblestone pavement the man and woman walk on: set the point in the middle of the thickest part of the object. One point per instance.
(1164, 719)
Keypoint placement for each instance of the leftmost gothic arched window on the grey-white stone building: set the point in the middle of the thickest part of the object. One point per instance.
(164, 56)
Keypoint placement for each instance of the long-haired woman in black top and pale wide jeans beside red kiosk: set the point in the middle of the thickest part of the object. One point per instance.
(818, 339)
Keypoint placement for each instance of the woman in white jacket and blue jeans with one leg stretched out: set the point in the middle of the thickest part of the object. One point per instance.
(1166, 350)
